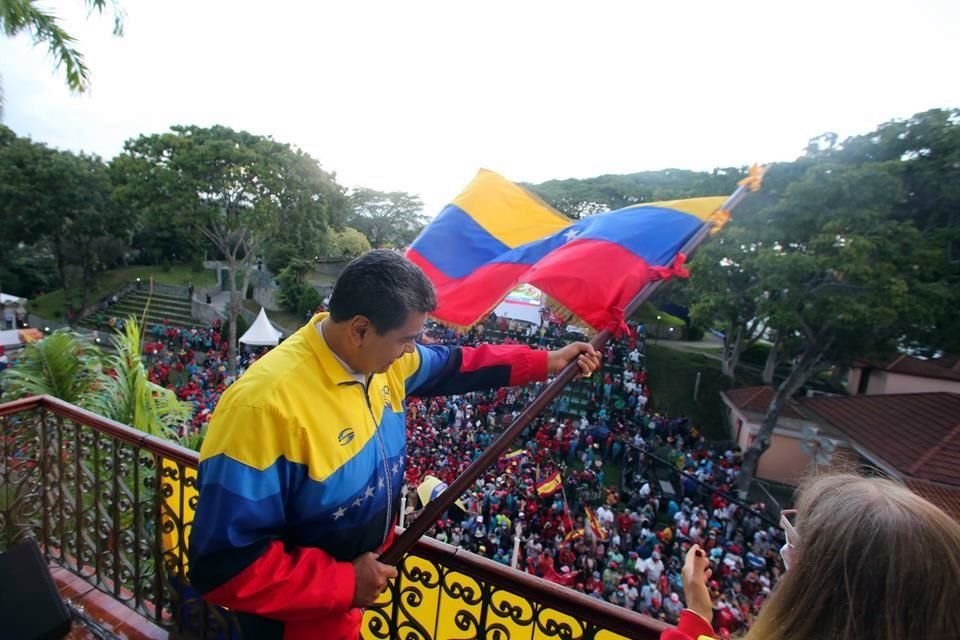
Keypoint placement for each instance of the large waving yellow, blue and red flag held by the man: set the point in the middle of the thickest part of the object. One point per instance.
(495, 235)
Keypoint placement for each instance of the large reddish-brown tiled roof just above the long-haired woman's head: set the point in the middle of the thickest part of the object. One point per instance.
(916, 433)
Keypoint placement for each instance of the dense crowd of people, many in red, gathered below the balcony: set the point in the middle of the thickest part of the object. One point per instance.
(610, 449)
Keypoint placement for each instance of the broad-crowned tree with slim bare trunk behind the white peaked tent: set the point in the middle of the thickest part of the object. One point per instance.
(234, 188)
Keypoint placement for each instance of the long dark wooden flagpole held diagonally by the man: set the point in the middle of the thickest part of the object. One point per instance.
(432, 511)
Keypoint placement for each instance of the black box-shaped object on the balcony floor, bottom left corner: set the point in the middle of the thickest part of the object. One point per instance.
(30, 606)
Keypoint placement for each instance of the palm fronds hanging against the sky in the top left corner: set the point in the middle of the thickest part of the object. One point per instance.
(26, 16)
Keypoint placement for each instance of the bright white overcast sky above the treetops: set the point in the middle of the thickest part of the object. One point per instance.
(416, 96)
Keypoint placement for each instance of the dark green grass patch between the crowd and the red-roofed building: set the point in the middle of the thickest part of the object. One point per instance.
(673, 374)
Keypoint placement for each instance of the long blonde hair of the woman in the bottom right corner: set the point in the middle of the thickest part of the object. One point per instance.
(874, 561)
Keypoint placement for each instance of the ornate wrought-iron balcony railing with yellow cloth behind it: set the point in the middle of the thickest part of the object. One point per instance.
(115, 506)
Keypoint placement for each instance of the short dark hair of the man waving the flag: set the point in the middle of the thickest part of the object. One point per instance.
(384, 287)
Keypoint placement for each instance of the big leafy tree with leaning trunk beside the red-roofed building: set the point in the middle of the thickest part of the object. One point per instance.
(842, 275)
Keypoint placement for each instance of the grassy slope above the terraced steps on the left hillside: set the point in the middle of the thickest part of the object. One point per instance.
(54, 304)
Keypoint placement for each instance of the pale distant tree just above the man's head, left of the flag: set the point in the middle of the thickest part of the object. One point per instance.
(387, 219)
